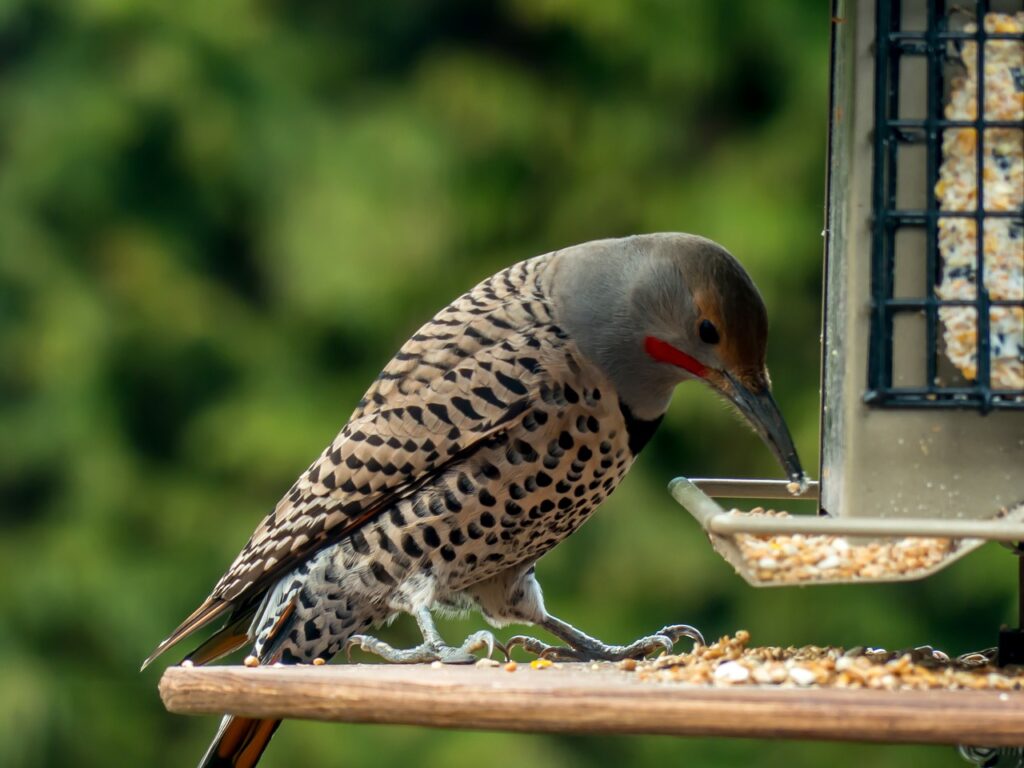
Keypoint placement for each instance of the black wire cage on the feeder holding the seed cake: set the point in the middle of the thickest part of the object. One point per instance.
(936, 59)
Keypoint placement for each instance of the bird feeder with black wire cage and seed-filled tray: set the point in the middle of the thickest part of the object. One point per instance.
(923, 344)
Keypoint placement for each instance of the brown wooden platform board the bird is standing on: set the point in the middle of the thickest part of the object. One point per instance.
(575, 699)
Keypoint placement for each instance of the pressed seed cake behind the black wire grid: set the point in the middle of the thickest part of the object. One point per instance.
(957, 190)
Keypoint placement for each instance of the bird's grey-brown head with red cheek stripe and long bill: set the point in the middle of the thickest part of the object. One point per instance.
(655, 311)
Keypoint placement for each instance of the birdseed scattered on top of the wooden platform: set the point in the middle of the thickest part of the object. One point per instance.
(730, 662)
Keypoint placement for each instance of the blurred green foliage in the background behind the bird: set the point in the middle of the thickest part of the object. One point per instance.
(219, 221)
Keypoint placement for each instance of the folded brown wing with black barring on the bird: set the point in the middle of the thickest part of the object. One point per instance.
(437, 402)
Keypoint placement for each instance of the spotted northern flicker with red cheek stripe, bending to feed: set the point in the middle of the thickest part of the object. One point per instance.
(493, 435)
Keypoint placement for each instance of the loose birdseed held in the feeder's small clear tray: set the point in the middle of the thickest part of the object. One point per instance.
(794, 559)
